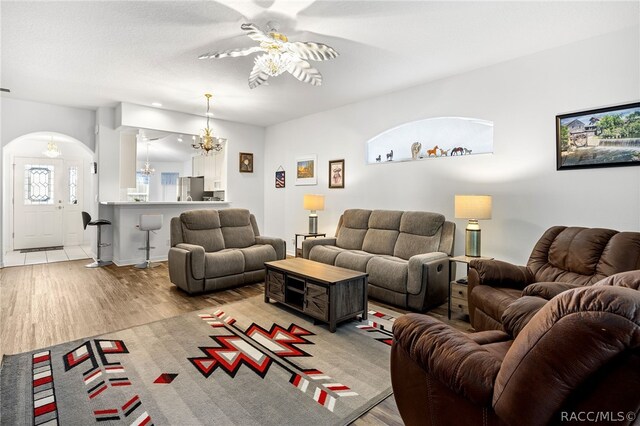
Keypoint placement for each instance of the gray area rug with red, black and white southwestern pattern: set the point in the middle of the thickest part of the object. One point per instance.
(244, 363)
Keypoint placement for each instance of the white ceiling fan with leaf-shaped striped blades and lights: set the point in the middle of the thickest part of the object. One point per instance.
(279, 55)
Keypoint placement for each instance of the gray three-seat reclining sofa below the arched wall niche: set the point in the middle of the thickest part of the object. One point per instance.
(406, 254)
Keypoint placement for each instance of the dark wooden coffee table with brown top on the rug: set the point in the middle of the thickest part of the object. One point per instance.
(324, 292)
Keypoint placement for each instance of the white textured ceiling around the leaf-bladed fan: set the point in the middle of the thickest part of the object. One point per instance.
(99, 53)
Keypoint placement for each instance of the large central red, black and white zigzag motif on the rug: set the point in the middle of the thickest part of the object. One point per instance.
(258, 349)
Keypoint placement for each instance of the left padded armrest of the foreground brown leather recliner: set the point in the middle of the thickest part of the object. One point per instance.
(448, 355)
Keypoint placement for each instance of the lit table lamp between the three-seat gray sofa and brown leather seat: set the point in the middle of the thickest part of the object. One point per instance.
(472, 207)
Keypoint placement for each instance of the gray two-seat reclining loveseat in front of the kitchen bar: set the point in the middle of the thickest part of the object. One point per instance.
(217, 249)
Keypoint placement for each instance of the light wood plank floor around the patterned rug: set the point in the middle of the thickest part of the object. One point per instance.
(46, 304)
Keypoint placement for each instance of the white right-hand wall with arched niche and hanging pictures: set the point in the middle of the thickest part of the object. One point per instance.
(522, 98)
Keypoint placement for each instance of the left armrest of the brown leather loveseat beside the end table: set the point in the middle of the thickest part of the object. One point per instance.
(496, 273)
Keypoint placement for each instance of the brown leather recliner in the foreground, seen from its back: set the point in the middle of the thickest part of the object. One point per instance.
(578, 358)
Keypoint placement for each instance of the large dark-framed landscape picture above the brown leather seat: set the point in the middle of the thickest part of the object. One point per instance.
(604, 137)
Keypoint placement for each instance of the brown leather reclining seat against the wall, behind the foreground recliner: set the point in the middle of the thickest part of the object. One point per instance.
(563, 258)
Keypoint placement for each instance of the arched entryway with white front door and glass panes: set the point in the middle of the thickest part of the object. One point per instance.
(44, 195)
